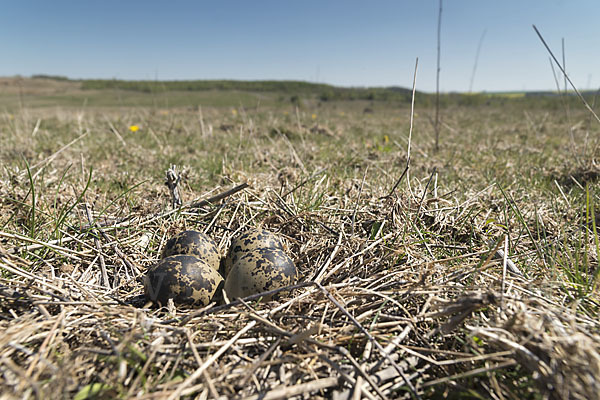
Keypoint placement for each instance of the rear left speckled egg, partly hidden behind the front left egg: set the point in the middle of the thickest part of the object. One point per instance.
(193, 243)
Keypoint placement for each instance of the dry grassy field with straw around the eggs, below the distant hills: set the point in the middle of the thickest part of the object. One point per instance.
(405, 290)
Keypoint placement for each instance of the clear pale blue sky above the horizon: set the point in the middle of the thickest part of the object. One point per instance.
(341, 42)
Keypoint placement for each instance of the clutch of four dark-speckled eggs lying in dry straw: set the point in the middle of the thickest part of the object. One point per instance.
(188, 271)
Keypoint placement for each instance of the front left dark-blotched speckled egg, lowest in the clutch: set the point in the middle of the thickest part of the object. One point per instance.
(187, 280)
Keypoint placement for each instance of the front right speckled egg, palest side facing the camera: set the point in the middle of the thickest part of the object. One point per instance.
(259, 270)
